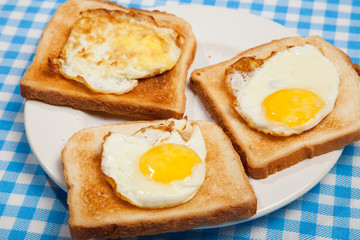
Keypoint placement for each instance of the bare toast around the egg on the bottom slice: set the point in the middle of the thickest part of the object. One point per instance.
(96, 212)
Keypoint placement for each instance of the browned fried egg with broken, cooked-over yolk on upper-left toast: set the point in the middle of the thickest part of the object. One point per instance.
(110, 50)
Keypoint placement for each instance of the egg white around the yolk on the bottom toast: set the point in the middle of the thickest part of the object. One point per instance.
(120, 161)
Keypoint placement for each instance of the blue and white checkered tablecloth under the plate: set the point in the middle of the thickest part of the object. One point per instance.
(33, 207)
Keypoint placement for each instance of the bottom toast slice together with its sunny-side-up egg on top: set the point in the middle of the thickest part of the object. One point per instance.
(98, 210)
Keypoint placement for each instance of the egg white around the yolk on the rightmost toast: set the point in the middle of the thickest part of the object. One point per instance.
(302, 67)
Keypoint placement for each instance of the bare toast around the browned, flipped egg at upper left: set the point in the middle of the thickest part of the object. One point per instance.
(158, 97)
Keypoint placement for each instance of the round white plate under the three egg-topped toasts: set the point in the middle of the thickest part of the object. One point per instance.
(221, 33)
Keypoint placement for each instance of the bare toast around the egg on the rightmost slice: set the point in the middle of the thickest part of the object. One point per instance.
(264, 154)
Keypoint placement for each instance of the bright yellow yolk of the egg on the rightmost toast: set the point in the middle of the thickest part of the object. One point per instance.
(294, 107)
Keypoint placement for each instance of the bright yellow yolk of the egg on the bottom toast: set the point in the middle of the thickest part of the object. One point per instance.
(168, 162)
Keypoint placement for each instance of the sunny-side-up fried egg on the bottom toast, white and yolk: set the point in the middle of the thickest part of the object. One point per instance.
(158, 166)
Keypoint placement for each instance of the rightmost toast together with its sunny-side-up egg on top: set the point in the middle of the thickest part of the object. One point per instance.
(331, 83)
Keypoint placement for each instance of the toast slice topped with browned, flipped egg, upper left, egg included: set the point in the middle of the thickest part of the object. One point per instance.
(89, 71)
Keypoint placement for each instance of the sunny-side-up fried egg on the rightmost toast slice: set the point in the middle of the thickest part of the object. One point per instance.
(288, 93)
